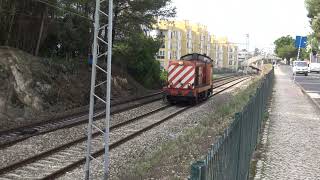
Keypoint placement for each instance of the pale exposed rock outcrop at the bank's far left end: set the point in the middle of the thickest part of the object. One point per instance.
(18, 95)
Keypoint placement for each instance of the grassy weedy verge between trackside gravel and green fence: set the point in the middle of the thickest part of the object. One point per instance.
(189, 136)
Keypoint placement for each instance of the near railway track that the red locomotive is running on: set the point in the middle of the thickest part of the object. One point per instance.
(57, 161)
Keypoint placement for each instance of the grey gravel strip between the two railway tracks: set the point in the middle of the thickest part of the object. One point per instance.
(41, 143)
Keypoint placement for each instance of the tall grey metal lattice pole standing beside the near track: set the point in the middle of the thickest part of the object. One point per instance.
(98, 59)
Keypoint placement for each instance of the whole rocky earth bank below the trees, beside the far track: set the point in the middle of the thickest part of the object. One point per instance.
(30, 86)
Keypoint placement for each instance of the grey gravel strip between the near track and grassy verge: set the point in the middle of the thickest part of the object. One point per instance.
(125, 156)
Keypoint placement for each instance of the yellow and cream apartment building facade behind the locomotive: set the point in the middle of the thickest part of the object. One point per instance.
(183, 37)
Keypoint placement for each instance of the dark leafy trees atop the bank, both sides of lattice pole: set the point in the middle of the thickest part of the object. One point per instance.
(64, 29)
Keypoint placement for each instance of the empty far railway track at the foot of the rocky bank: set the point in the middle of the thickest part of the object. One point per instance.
(16, 135)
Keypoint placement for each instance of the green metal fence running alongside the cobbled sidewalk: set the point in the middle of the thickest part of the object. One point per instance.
(229, 158)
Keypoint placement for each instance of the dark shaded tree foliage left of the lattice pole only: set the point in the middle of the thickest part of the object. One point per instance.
(31, 25)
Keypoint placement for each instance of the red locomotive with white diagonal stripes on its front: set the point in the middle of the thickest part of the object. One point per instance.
(189, 79)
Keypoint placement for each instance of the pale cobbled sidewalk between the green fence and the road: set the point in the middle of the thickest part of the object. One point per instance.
(292, 149)
